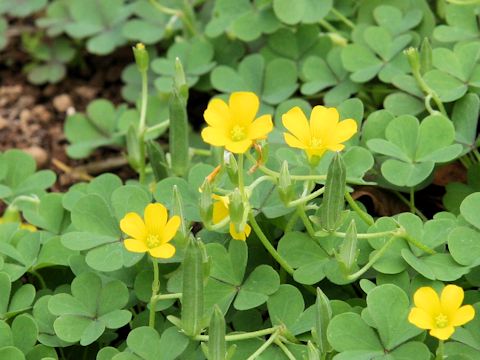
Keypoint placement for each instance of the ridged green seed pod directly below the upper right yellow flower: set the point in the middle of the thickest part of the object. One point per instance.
(330, 212)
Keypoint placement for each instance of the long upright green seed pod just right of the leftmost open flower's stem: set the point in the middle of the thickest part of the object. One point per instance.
(192, 292)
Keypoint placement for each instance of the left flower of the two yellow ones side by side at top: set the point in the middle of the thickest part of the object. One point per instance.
(233, 125)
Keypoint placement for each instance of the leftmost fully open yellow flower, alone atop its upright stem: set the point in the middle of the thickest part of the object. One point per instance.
(153, 234)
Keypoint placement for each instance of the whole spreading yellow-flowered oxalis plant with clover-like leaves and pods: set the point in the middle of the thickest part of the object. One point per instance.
(242, 240)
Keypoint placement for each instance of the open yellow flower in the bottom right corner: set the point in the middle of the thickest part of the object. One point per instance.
(440, 315)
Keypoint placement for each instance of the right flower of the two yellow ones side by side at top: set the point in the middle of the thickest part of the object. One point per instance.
(323, 132)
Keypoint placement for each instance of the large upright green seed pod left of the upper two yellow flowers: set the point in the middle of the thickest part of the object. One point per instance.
(178, 134)
